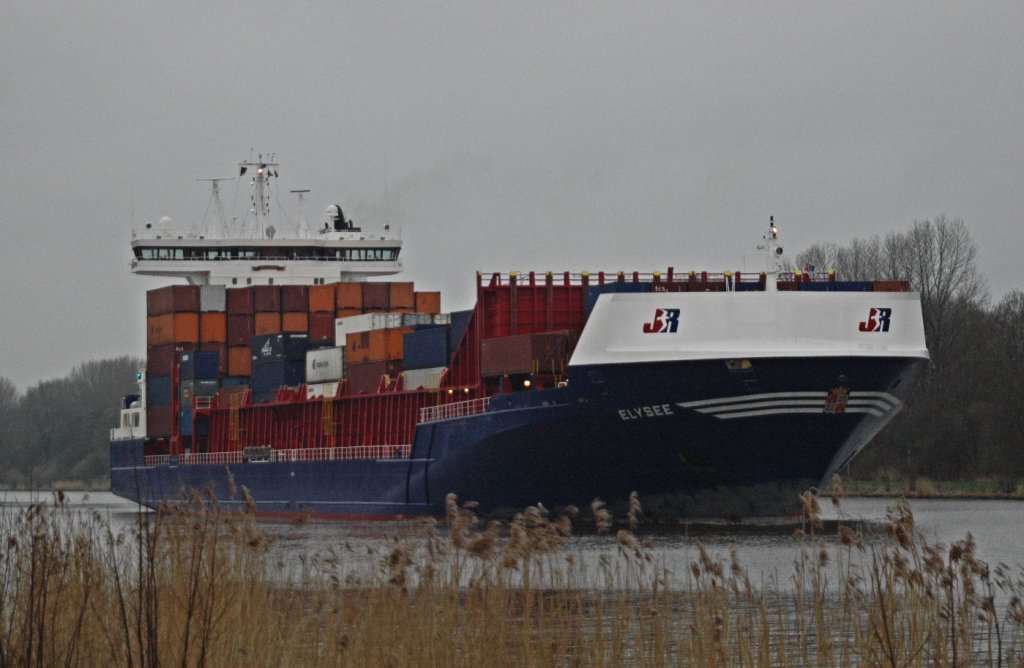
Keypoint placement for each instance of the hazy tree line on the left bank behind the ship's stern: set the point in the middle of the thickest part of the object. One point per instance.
(58, 433)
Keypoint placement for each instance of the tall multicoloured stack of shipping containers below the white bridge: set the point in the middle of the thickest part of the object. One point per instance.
(234, 325)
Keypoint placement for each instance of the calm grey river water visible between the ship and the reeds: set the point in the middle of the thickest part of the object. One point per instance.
(767, 550)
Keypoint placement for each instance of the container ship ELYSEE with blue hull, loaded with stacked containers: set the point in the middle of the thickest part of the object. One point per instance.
(286, 366)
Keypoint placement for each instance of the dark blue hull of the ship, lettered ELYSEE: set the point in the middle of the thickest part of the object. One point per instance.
(694, 439)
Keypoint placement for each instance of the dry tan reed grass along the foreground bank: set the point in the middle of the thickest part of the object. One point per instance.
(193, 586)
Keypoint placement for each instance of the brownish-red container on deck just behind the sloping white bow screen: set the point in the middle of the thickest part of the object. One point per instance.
(524, 354)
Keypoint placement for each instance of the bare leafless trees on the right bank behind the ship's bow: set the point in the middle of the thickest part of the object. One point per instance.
(966, 421)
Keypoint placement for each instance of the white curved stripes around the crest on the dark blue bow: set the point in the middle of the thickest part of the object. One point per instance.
(727, 408)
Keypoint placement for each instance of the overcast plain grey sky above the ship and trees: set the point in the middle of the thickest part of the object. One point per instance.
(521, 136)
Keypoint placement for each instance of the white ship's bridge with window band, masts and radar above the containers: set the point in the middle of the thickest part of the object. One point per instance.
(254, 253)
